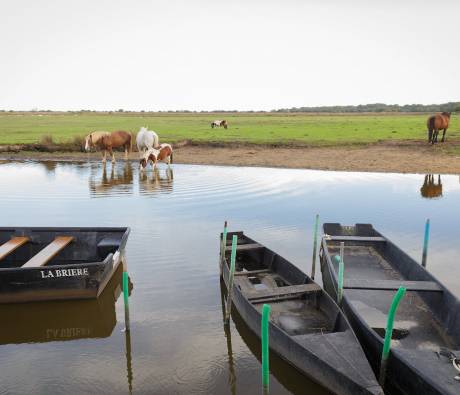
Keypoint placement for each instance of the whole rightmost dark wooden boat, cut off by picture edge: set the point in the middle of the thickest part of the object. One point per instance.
(427, 325)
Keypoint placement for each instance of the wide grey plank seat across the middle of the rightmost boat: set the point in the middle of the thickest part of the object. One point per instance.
(392, 285)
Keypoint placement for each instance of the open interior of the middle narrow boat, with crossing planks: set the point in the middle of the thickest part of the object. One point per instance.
(298, 305)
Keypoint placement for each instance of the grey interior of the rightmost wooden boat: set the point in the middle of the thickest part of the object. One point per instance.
(374, 268)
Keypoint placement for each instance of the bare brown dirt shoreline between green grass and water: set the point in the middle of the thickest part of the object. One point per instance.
(385, 157)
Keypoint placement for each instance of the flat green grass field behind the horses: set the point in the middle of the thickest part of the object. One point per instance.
(323, 129)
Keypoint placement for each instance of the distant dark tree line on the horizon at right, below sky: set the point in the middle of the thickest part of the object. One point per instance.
(378, 107)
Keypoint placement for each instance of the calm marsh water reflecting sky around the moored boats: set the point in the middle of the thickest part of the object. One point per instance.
(177, 342)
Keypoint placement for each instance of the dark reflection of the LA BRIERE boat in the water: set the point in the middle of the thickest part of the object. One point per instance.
(42, 322)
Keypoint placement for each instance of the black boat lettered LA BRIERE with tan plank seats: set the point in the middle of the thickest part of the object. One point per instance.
(39, 264)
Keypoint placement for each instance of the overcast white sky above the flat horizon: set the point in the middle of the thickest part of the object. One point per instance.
(234, 54)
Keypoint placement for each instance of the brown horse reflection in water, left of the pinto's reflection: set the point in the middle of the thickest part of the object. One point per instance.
(119, 180)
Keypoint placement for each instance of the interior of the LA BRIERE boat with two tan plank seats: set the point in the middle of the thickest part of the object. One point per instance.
(35, 247)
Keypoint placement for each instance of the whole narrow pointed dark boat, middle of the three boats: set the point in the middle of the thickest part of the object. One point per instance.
(307, 328)
